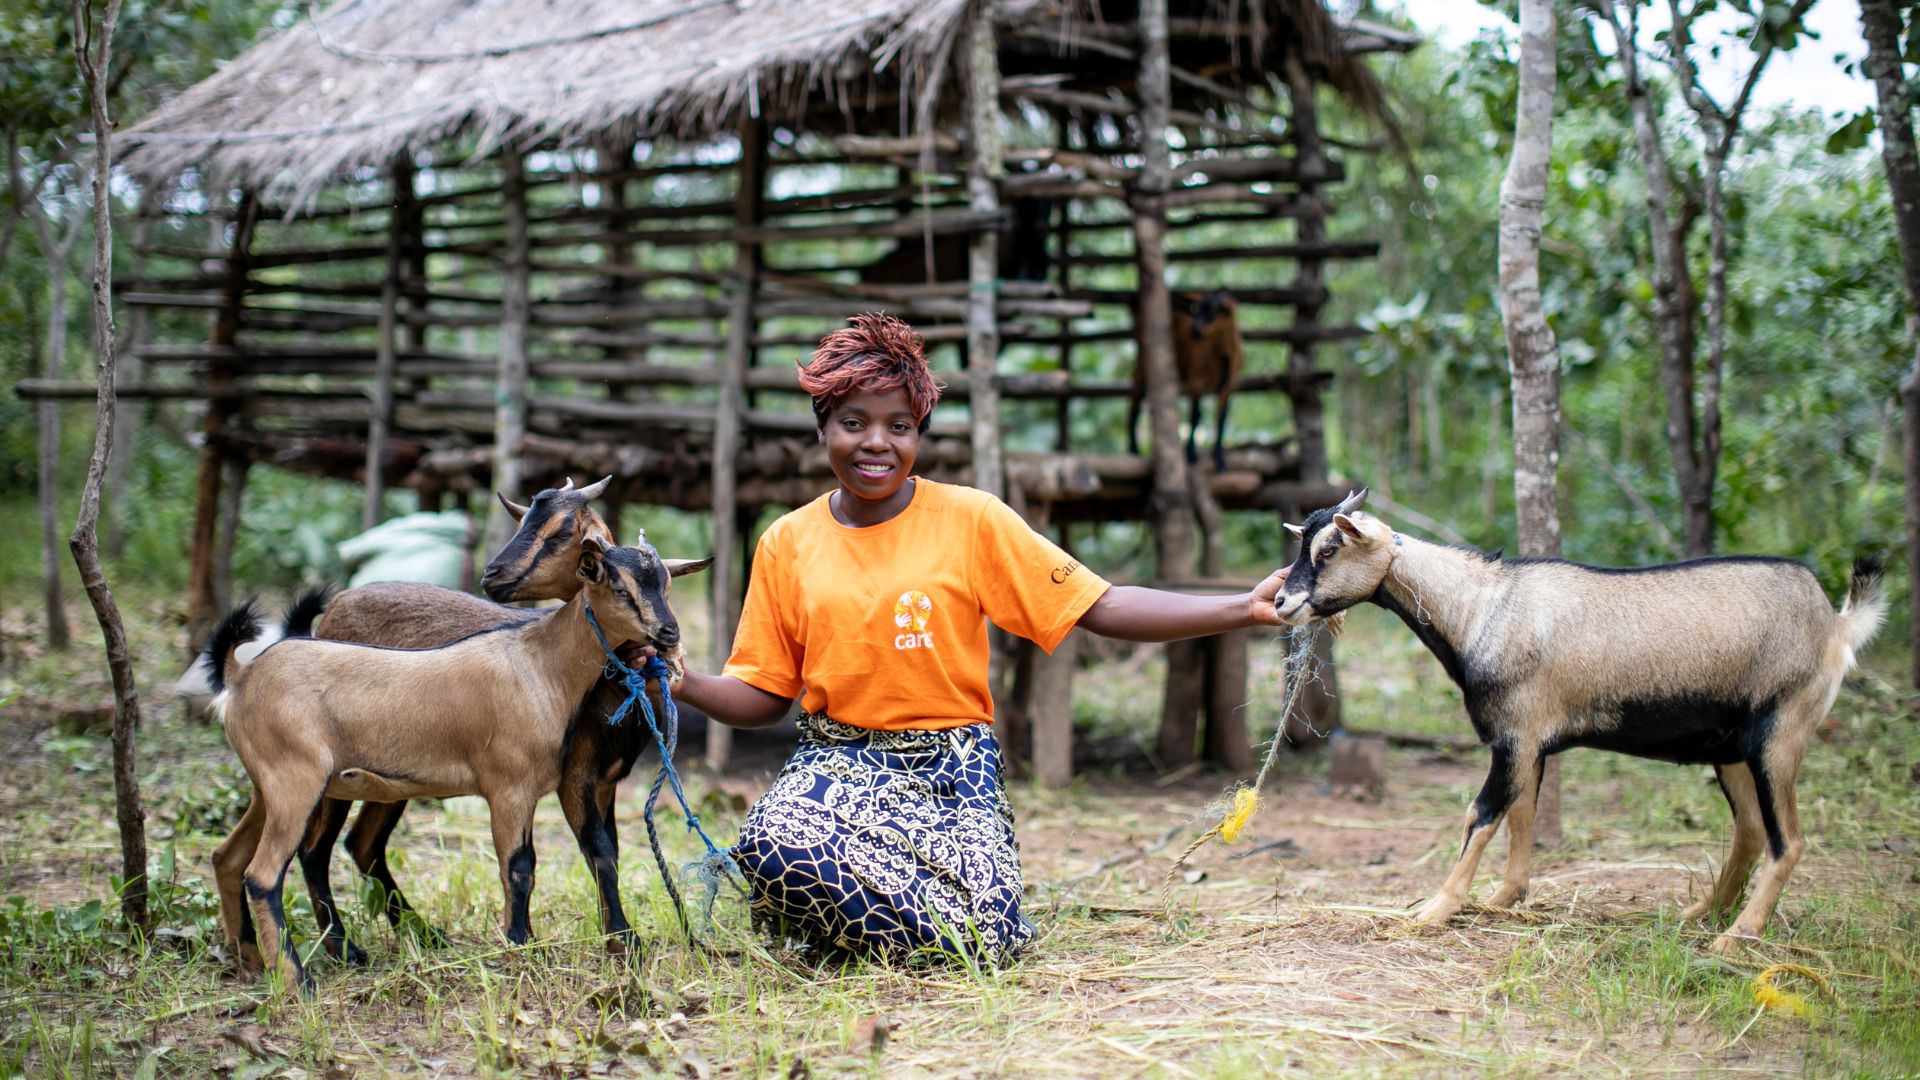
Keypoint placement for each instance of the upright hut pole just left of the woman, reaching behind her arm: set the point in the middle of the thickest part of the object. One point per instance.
(731, 420)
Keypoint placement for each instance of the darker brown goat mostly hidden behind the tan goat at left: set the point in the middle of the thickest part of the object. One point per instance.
(537, 564)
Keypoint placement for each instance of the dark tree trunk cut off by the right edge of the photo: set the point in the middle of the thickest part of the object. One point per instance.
(1881, 22)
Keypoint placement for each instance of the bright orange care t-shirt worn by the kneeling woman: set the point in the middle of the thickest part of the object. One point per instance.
(886, 627)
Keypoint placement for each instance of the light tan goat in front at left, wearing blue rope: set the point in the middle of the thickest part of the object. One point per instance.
(483, 716)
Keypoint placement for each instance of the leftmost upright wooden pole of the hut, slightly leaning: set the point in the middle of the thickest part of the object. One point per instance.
(203, 606)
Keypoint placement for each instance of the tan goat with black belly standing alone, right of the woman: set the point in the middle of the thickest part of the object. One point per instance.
(1725, 662)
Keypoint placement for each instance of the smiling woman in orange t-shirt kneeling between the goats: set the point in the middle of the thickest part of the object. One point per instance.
(888, 831)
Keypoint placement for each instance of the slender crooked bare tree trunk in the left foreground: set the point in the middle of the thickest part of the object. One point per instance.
(93, 43)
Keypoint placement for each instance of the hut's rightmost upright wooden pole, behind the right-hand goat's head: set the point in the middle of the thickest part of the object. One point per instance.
(1320, 704)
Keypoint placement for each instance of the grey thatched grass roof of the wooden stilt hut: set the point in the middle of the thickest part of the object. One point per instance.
(373, 78)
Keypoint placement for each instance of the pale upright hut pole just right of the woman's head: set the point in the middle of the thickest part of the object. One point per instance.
(984, 172)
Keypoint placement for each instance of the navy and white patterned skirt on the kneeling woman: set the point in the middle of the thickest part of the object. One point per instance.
(888, 843)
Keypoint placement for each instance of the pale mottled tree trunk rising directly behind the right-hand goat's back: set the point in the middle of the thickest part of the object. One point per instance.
(1531, 349)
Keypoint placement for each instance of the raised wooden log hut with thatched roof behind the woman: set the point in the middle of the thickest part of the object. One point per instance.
(489, 245)
